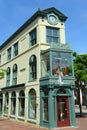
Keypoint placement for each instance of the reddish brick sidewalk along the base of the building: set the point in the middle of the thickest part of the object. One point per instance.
(12, 125)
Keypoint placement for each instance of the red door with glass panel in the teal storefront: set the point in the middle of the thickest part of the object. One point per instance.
(63, 111)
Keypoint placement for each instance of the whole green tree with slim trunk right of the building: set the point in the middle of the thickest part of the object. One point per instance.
(80, 71)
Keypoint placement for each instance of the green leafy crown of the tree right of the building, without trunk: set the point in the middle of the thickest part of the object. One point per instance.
(80, 67)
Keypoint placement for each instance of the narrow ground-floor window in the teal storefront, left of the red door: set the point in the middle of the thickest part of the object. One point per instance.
(45, 109)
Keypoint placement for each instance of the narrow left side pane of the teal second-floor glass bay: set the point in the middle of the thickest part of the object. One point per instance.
(45, 65)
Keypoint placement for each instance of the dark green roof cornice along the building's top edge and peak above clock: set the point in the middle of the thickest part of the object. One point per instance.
(41, 13)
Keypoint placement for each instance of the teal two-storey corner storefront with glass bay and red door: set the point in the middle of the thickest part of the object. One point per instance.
(56, 88)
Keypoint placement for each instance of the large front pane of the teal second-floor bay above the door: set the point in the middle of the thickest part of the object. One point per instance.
(61, 63)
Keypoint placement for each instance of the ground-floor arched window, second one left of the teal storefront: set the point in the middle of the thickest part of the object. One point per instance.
(21, 103)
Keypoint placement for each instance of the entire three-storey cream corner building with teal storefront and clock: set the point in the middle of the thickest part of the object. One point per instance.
(39, 81)
